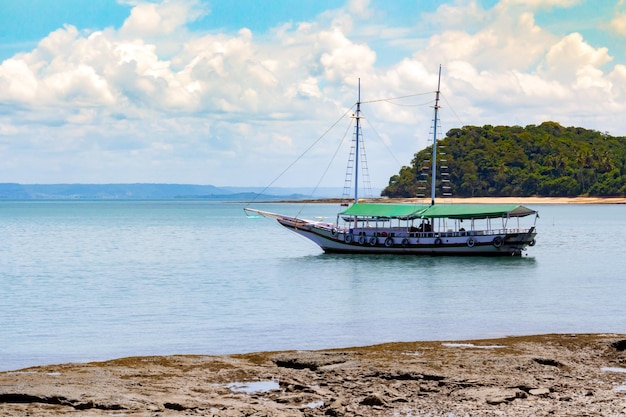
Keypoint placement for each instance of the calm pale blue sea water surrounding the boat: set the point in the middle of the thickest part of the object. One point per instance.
(83, 281)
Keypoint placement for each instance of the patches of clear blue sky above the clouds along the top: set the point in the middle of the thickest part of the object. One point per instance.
(24, 23)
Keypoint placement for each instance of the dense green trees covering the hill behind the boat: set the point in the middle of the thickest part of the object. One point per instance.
(544, 160)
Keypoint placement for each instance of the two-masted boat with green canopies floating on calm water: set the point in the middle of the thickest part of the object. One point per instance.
(417, 228)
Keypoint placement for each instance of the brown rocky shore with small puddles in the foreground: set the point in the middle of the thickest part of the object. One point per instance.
(547, 375)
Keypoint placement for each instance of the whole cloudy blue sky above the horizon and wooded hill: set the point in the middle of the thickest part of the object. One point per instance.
(246, 93)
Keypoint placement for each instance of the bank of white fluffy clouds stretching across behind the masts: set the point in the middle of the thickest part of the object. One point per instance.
(153, 101)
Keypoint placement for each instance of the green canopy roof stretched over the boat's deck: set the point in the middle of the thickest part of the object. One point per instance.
(451, 211)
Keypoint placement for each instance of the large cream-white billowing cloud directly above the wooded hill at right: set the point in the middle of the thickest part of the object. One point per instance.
(513, 65)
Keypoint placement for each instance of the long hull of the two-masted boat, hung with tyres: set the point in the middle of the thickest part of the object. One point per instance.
(510, 242)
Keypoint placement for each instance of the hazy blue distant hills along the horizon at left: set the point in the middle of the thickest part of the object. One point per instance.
(13, 191)
